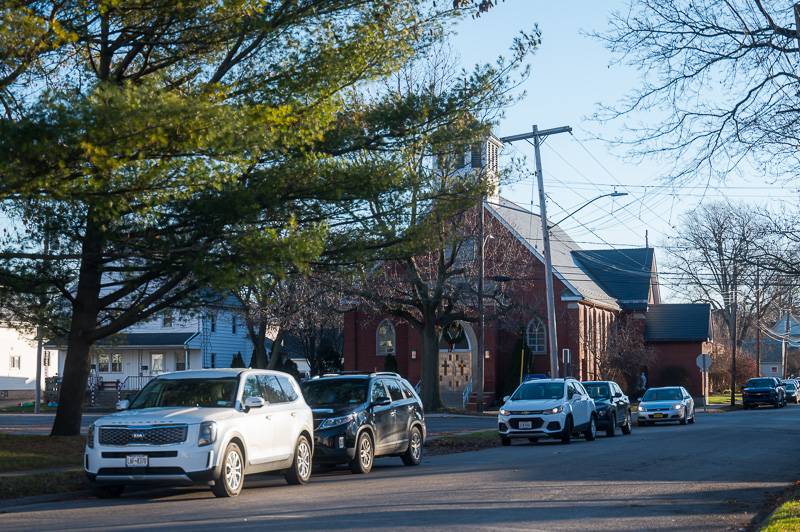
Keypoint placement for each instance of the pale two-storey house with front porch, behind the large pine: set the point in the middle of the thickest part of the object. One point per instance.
(207, 338)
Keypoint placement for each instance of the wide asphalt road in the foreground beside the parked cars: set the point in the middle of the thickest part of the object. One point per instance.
(713, 475)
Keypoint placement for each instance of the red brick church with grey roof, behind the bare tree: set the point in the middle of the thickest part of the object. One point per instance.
(593, 288)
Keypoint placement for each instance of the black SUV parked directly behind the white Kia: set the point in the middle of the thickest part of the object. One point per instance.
(358, 417)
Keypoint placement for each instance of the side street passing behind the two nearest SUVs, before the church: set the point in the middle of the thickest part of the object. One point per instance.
(41, 424)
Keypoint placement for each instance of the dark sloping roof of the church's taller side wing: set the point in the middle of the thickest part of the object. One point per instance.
(624, 274)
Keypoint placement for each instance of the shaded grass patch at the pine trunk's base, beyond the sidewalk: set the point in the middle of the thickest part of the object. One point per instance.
(20, 453)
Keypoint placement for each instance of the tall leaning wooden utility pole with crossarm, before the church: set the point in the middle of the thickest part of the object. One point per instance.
(538, 137)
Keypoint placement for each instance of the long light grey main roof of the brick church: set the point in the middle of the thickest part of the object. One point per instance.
(527, 227)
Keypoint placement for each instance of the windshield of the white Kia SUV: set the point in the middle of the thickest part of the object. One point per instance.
(212, 393)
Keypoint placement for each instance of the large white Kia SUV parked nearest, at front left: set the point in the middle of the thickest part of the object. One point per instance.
(206, 426)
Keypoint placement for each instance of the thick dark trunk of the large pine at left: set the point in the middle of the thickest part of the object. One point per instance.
(85, 310)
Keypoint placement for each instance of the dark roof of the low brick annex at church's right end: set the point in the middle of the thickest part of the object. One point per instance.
(683, 322)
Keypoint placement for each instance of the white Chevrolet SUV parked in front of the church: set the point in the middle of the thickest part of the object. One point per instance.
(547, 408)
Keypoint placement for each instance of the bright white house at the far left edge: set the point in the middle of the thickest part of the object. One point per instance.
(17, 364)
